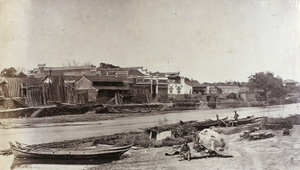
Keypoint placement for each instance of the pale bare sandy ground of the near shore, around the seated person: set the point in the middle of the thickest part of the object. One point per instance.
(278, 152)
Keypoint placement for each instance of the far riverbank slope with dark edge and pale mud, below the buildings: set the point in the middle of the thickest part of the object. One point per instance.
(29, 117)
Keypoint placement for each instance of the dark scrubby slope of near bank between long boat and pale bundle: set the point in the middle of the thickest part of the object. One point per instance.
(142, 139)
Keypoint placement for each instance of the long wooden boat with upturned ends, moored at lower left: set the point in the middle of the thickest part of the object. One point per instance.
(21, 150)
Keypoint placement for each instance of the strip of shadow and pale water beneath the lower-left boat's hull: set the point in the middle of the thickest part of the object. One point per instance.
(23, 163)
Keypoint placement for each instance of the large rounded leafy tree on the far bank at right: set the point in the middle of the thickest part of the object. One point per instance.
(266, 82)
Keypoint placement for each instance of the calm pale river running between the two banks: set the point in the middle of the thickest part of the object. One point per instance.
(56, 132)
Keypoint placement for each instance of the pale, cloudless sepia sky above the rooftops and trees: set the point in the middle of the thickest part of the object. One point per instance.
(206, 40)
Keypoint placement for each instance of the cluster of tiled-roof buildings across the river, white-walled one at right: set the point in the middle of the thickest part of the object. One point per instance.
(109, 81)
